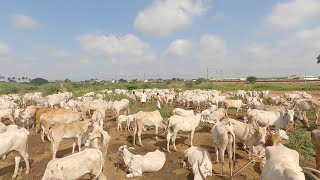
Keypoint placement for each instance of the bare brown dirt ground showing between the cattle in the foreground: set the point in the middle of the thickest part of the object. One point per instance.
(40, 154)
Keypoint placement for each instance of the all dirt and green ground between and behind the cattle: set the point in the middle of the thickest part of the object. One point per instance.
(40, 155)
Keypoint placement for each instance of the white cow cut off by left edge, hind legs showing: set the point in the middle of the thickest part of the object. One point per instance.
(15, 140)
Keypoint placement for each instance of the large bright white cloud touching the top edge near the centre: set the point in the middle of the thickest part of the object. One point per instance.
(163, 17)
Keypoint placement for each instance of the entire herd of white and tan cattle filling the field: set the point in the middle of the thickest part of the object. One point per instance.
(62, 116)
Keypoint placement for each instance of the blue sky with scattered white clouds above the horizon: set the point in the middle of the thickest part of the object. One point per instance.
(160, 38)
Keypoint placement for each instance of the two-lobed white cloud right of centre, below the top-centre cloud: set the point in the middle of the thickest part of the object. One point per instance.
(209, 47)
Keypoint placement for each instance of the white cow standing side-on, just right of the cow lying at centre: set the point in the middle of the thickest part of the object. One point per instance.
(180, 123)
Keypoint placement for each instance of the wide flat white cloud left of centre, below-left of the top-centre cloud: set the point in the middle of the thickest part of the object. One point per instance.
(127, 47)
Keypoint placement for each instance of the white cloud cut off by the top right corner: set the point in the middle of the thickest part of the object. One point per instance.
(291, 13)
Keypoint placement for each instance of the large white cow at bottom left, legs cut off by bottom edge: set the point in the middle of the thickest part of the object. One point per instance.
(76, 165)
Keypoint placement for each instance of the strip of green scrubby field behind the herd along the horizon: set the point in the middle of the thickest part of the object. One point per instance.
(79, 88)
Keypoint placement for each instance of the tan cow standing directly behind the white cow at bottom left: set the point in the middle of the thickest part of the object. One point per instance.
(72, 130)
